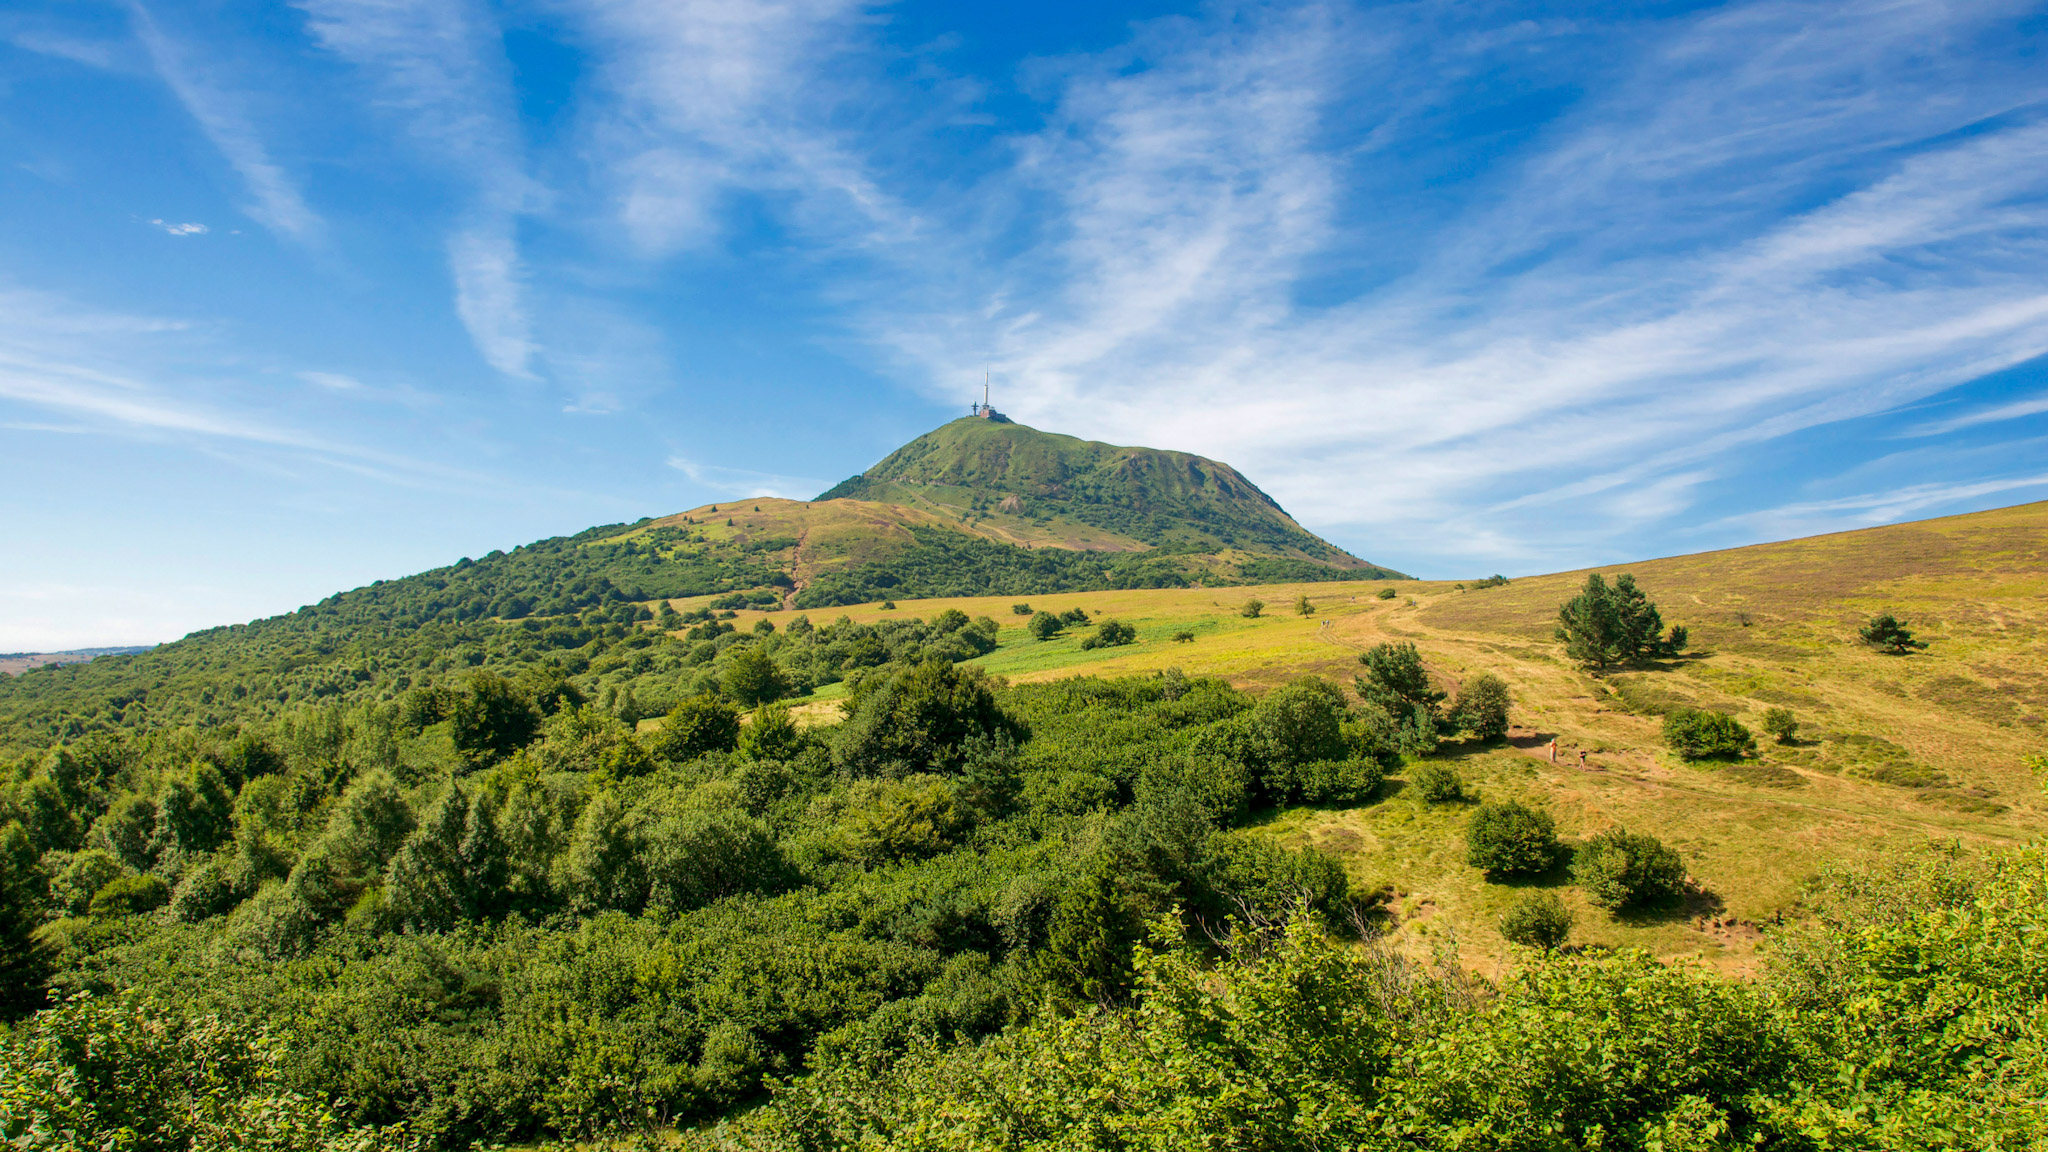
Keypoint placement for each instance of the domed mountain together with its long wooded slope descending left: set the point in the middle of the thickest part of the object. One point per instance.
(1082, 518)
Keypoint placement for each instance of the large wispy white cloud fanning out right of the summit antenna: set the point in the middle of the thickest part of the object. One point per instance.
(1777, 216)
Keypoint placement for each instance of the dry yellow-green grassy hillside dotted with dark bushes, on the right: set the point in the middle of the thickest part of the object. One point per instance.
(1893, 749)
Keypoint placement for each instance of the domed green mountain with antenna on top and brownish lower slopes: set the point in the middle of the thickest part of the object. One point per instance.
(992, 507)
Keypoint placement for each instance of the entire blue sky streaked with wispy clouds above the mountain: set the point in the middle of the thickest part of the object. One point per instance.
(302, 296)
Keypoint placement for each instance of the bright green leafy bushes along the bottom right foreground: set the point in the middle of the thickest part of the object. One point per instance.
(1908, 1018)
